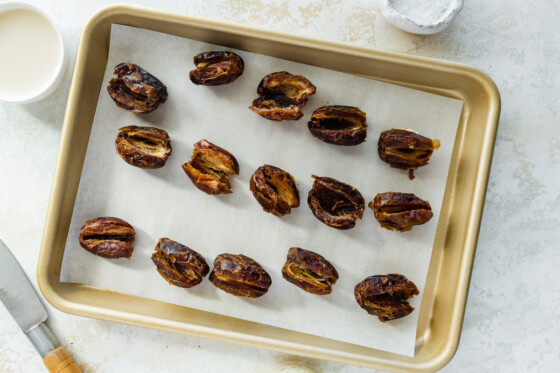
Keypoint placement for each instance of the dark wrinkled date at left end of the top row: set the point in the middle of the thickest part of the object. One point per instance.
(136, 90)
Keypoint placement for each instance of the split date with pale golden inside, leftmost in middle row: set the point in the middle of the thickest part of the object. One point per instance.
(143, 147)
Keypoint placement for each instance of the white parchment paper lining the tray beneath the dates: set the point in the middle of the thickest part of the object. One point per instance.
(164, 203)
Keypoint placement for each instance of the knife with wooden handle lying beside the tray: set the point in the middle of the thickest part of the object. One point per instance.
(19, 297)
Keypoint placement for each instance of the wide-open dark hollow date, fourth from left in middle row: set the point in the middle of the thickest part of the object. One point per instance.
(334, 203)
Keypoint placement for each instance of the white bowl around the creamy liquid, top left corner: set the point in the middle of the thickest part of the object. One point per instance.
(57, 74)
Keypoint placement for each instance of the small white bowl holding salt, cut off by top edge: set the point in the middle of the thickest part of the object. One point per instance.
(409, 25)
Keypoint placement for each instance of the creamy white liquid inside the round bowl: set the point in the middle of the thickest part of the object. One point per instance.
(30, 53)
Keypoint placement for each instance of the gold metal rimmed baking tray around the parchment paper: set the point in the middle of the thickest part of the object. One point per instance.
(443, 302)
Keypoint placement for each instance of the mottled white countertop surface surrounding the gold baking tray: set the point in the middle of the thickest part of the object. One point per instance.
(512, 323)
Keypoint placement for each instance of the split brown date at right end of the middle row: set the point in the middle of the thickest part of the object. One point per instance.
(400, 211)
